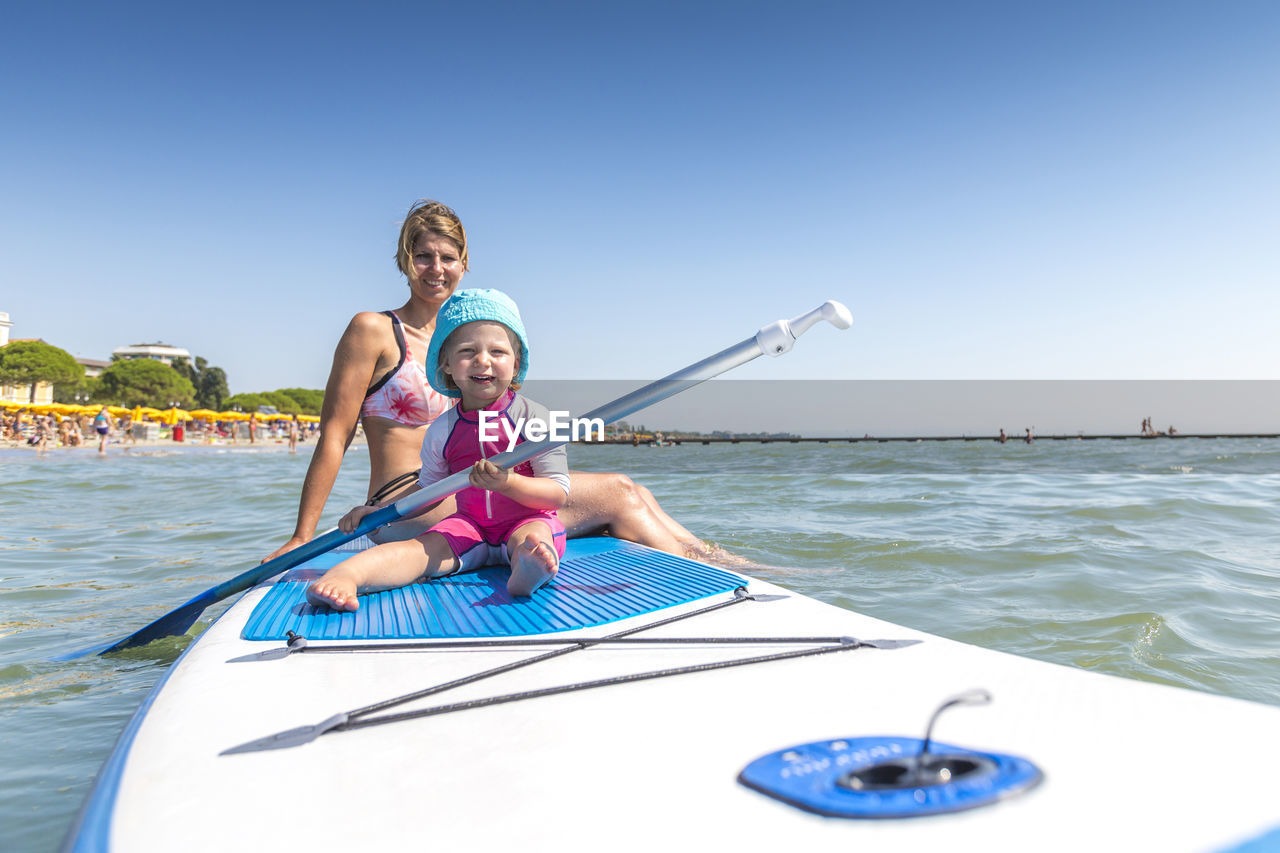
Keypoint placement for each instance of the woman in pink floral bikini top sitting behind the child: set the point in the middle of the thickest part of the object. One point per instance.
(377, 378)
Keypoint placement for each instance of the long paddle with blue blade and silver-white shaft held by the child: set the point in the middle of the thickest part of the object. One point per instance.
(772, 340)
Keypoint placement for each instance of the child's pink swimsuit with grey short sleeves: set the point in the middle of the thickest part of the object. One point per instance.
(454, 445)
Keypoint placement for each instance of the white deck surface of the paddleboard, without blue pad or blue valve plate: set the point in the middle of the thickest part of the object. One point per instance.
(655, 765)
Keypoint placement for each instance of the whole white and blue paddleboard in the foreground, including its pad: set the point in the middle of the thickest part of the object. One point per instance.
(646, 703)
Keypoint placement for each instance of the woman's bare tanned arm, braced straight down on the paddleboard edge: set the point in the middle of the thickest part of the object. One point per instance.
(355, 362)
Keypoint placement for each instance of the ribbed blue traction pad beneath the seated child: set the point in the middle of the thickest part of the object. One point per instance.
(600, 581)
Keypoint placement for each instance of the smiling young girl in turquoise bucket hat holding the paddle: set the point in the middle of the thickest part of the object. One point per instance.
(478, 353)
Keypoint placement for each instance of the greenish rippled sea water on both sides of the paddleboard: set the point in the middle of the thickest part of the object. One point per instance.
(1155, 560)
